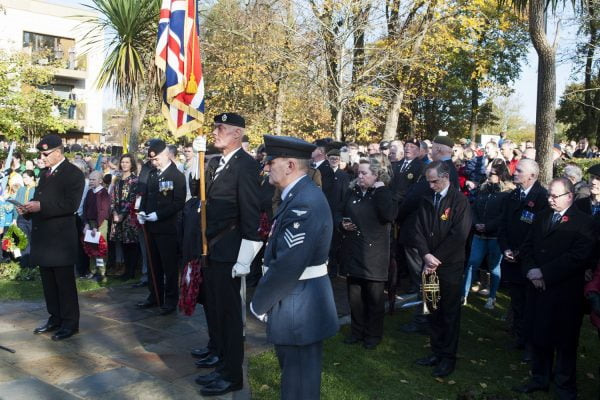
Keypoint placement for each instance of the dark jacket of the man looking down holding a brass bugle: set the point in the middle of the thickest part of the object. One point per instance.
(444, 233)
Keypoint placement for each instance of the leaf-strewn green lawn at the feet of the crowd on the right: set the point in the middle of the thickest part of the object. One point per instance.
(486, 369)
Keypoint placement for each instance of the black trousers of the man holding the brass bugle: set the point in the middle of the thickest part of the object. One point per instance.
(445, 321)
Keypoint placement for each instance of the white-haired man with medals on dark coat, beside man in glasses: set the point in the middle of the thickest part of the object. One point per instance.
(521, 209)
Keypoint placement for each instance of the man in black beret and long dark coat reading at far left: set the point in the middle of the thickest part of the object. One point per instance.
(54, 238)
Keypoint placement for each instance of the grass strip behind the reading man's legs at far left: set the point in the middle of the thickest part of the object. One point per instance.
(32, 290)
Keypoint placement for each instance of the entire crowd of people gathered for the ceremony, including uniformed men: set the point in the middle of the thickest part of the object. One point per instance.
(395, 212)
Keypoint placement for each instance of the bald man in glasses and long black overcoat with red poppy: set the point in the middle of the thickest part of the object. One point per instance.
(554, 259)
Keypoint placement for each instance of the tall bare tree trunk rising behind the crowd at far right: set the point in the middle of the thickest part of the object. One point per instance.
(546, 91)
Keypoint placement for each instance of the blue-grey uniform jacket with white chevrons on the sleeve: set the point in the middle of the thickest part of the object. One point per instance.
(299, 312)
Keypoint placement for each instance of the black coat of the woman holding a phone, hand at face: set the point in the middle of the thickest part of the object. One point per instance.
(366, 251)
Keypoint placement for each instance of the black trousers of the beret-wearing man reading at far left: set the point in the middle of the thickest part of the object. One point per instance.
(60, 292)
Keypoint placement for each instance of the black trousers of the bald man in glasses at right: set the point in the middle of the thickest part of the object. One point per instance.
(565, 368)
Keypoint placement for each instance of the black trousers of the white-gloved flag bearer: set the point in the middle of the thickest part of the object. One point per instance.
(225, 313)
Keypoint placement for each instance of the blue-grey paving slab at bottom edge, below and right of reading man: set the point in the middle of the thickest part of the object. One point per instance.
(97, 384)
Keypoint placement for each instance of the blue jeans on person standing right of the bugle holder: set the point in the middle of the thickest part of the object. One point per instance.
(480, 247)
